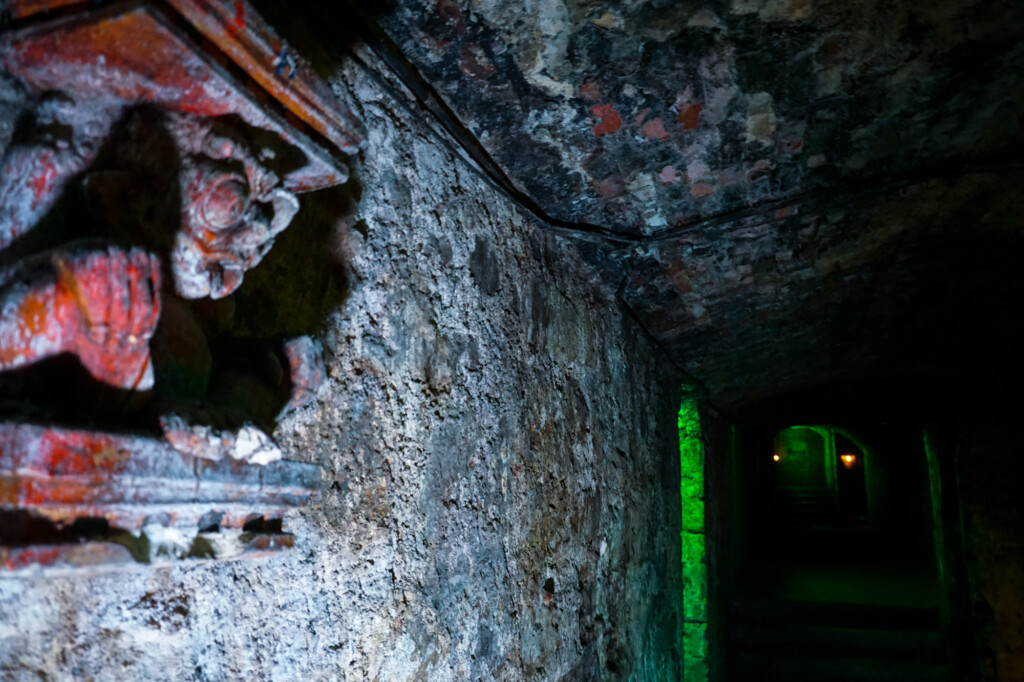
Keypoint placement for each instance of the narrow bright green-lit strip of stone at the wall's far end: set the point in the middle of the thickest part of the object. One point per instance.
(692, 454)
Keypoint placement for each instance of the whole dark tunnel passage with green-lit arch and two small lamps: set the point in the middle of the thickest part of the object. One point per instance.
(833, 569)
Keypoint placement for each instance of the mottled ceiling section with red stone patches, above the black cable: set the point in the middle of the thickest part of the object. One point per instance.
(650, 115)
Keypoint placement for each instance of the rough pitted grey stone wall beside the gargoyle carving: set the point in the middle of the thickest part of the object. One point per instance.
(500, 453)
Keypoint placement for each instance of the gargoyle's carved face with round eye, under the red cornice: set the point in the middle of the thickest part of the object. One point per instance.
(233, 208)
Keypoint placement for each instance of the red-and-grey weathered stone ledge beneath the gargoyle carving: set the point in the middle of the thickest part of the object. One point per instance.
(67, 475)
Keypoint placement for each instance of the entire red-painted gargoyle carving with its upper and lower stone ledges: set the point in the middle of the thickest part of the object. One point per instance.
(102, 304)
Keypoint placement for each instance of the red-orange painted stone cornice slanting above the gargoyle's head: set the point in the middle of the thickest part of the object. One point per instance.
(145, 61)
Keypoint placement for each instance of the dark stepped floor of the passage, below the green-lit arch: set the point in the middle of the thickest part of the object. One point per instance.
(839, 606)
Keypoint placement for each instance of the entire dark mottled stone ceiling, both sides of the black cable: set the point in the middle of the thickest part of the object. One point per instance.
(793, 191)
